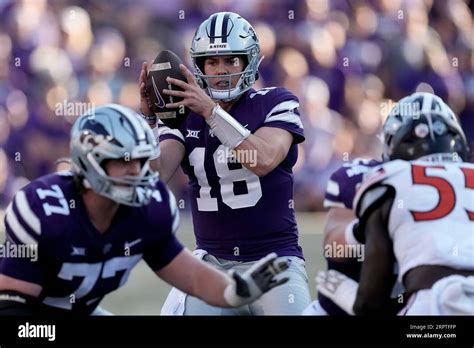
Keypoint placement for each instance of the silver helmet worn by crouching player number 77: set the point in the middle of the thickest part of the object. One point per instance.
(114, 132)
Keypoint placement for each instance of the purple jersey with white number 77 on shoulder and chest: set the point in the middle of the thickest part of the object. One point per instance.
(76, 265)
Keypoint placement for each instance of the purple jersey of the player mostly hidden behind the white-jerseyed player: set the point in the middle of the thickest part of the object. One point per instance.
(340, 193)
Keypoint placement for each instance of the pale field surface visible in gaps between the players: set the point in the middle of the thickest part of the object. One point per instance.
(144, 293)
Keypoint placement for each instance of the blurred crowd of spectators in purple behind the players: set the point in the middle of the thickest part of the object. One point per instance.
(347, 60)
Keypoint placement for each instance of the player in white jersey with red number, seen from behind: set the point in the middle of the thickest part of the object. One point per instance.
(416, 211)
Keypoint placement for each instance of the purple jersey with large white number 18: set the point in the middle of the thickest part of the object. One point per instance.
(236, 214)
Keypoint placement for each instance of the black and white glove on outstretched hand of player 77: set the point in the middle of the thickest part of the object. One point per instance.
(256, 281)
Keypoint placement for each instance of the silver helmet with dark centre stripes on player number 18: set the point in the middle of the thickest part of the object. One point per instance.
(223, 34)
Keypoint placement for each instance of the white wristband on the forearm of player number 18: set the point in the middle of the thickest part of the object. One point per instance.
(226, 128)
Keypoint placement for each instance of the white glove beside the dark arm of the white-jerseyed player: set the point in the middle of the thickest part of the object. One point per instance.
(336, 286)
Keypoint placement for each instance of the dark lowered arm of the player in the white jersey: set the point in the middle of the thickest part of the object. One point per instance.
(377, 278)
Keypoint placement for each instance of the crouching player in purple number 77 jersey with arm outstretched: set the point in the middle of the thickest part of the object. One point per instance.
(78, 234)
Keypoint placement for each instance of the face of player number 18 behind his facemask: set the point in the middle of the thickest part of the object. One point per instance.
(222, 65)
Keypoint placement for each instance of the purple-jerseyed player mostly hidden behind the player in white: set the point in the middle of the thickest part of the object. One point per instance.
(340, 228)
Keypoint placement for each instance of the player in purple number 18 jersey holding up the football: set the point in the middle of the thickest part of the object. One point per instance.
(237, 146)
